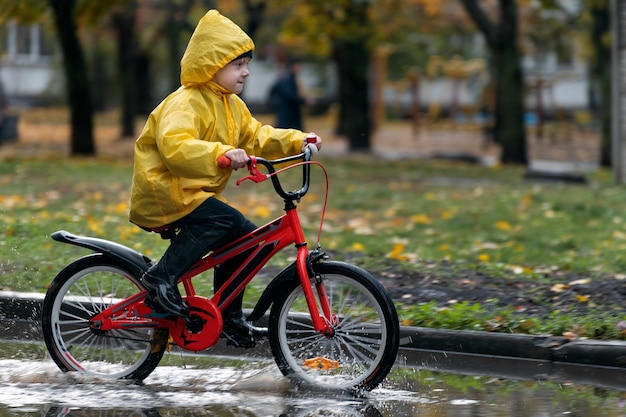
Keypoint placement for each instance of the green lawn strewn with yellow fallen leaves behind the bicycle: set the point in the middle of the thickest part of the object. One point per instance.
(381, 210)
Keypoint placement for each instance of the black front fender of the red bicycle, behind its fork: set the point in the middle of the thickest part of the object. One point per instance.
(285, 281)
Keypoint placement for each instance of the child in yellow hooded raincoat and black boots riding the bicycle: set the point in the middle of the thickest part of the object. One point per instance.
(177, 181)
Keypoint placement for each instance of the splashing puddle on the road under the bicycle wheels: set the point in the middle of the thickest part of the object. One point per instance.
(38, 388)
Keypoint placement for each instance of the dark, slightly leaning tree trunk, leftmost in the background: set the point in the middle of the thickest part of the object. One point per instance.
(77, 85)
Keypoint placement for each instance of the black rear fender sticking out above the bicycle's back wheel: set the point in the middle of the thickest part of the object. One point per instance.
(135, 261)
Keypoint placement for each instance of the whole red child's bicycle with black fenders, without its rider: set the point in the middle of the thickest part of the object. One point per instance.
(331, 324)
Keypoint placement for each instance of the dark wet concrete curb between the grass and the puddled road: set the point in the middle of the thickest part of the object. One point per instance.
(20, 321)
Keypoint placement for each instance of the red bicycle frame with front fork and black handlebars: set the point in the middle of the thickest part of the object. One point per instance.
(259, 246)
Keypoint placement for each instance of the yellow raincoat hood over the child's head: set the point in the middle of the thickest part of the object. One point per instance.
(215, 42)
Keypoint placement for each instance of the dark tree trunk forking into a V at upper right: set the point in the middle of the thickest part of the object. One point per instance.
(508, 80)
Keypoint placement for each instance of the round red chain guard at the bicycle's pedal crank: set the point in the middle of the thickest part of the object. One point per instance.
(207, 317)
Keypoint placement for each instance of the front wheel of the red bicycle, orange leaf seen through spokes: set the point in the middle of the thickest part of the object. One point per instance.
(365, 344)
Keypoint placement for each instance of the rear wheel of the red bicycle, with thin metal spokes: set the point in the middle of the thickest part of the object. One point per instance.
(81, 290)
